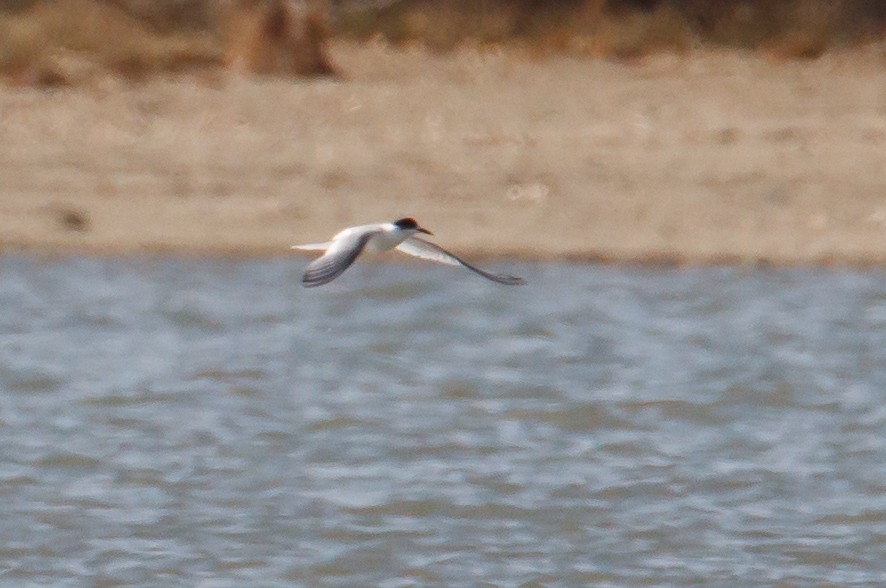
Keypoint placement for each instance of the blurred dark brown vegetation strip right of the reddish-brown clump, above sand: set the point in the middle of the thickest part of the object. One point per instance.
(626, 28)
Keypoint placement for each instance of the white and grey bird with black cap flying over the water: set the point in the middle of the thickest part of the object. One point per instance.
(348, 244)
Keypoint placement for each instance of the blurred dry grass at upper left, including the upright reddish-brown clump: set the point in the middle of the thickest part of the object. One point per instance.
(70, 42)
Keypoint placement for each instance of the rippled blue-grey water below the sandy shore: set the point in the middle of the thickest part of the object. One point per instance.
(211, 423)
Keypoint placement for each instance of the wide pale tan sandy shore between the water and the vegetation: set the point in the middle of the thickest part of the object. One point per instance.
(708, 157)
